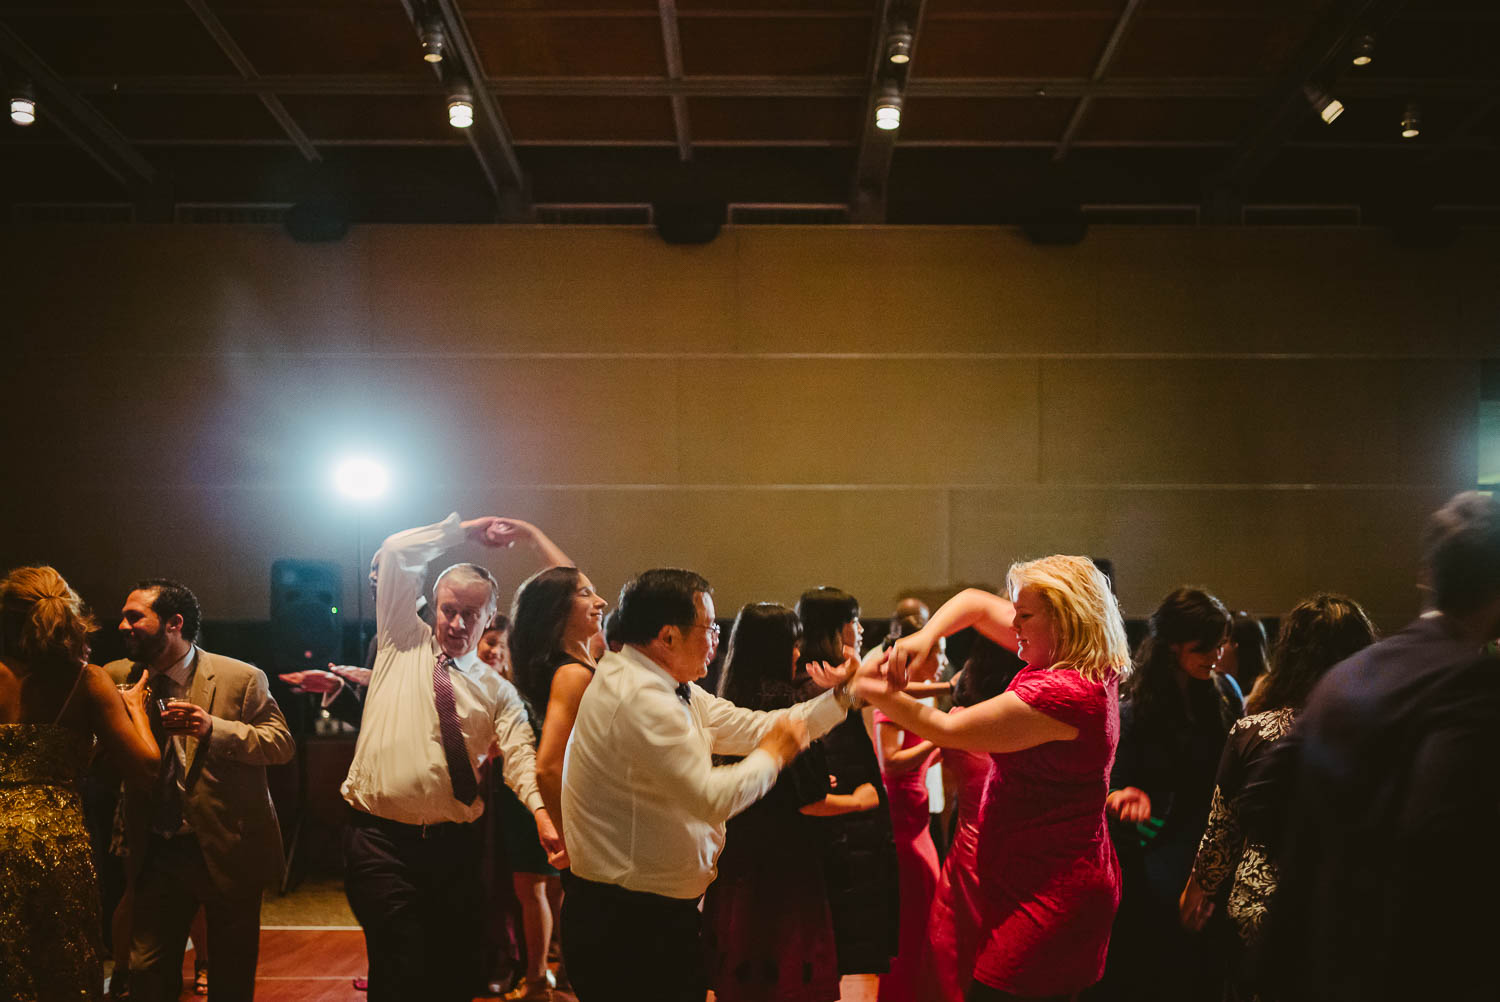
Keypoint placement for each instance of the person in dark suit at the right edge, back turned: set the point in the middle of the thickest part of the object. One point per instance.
(1382, 805)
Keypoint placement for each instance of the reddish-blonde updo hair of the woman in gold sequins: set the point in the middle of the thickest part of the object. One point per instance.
(43, 620)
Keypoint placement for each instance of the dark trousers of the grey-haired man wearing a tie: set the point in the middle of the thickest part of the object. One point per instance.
(418, 895)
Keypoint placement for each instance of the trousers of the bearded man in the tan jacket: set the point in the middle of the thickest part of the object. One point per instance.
(170, 887)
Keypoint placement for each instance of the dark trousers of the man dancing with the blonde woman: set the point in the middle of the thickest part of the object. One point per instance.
(625, 946)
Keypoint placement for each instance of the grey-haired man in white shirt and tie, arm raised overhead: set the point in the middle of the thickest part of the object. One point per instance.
(431, 715)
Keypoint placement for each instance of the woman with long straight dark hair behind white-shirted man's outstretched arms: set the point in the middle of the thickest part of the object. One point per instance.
(767, 925)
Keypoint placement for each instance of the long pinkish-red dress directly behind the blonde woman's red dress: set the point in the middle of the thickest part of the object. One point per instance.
(955, 926)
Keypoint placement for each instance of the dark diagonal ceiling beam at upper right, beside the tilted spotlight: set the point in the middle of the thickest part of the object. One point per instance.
(1316, 65)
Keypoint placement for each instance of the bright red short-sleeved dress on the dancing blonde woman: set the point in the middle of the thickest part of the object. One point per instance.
(1049, 878)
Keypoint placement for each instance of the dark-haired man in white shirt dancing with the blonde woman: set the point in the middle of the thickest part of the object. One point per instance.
(644, 808)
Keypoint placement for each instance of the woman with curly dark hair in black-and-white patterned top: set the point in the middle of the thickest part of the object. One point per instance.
(1319, 634)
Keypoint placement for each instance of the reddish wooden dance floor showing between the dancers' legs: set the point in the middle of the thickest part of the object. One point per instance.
(320, 965)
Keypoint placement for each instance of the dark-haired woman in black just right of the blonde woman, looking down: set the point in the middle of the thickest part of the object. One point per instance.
(1175, 715)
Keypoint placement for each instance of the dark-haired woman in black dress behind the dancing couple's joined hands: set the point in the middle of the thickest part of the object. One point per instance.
(860, 851)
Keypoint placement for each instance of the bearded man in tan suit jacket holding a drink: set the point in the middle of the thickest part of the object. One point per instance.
(206, 833)
